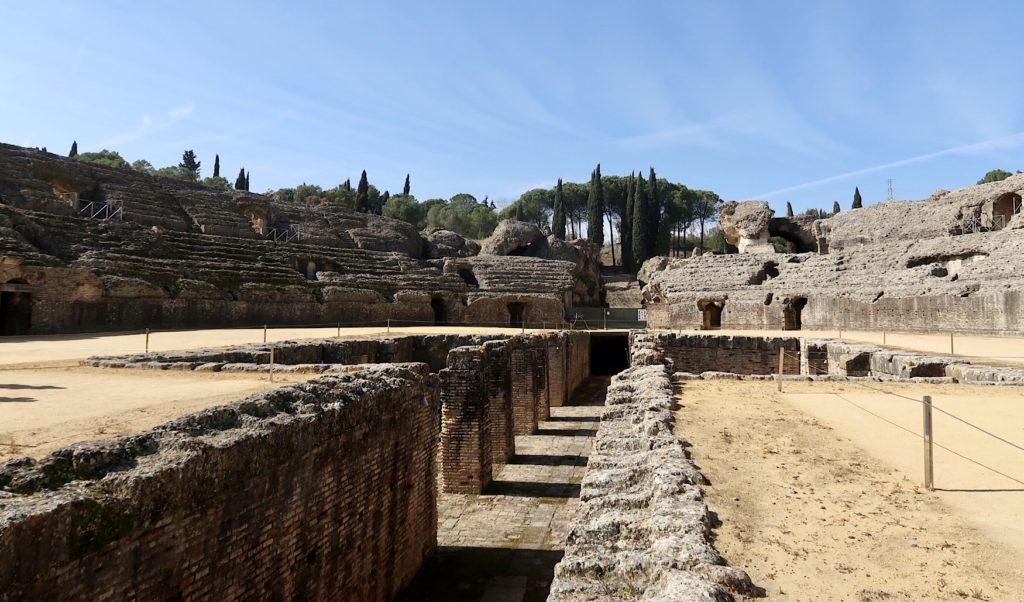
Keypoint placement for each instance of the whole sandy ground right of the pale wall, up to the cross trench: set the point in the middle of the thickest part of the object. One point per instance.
(821, 501)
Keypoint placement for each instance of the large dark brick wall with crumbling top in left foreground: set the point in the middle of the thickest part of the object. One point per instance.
(320, 491)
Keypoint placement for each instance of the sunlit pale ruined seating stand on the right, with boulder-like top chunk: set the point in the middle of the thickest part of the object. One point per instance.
(955, 262)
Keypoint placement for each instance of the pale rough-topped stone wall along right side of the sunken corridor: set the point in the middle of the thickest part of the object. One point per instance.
(643, 531)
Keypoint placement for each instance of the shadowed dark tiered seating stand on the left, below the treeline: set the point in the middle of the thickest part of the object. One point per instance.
(182, 255)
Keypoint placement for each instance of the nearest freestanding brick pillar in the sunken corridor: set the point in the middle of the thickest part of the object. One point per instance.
(466, 456)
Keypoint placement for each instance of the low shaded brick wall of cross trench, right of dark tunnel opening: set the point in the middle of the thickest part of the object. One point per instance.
(698, 354)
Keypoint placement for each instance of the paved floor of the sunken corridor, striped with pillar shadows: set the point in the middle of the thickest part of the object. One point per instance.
(503, 546)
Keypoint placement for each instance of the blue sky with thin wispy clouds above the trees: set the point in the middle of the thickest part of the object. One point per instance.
(795, 102)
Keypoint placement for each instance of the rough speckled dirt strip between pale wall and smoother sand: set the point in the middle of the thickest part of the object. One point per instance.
(813, 517)
